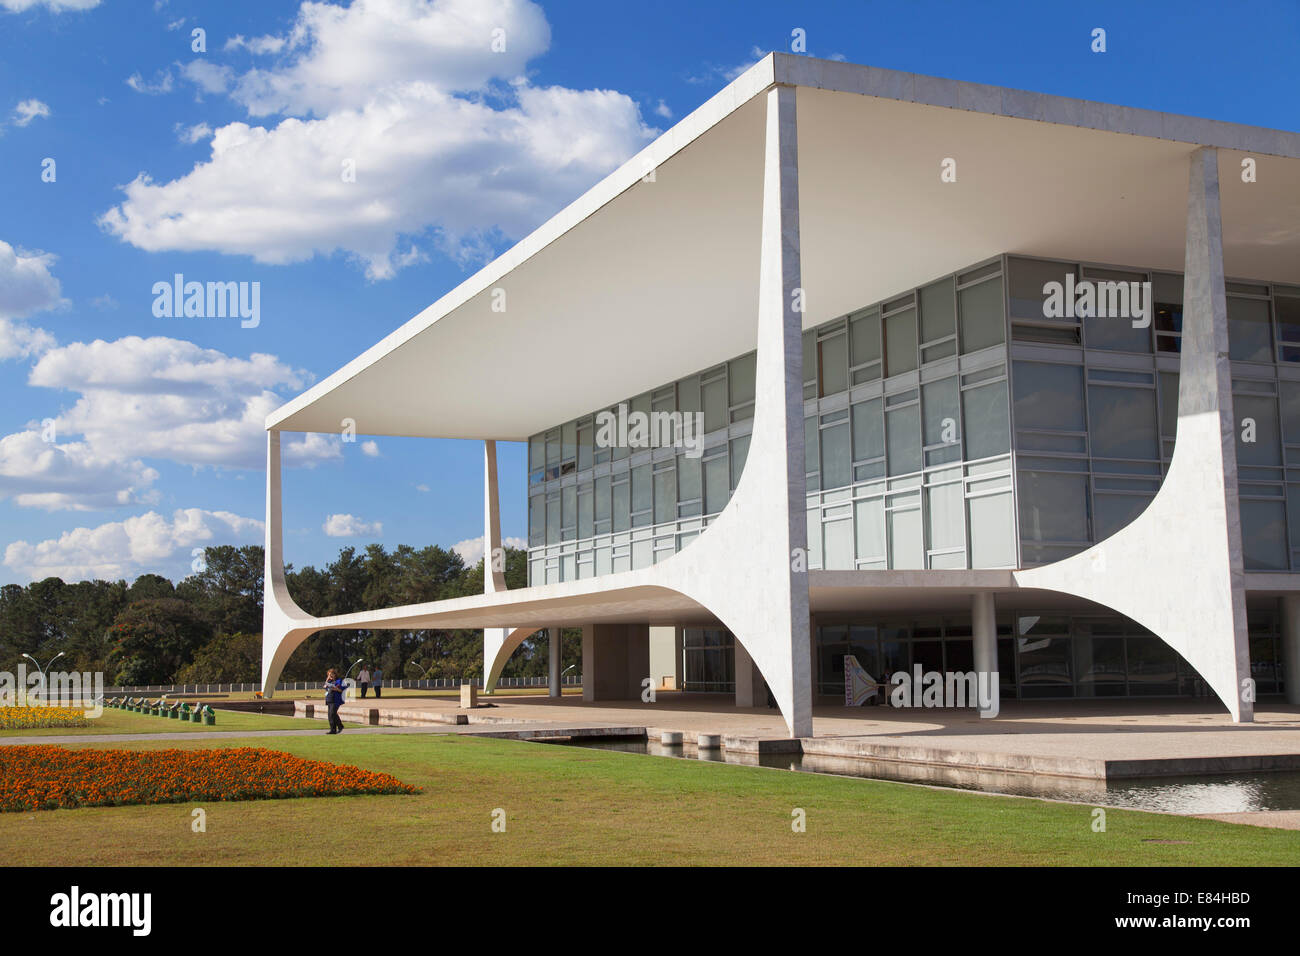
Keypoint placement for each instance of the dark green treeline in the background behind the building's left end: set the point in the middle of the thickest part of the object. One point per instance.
(207, 628)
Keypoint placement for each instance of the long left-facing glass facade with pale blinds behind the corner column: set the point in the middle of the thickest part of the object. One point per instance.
(908, 448)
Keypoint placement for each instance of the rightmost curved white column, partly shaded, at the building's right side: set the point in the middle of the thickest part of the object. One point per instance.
(1177, 569)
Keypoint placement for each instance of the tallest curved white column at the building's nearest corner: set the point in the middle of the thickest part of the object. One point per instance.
(749, 568)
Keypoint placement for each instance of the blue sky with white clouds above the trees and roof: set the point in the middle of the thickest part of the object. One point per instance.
(226, 165)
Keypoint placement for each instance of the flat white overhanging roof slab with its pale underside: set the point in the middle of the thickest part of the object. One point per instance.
(640, 283)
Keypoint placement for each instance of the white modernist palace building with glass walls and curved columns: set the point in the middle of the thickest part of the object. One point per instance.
(861, 362)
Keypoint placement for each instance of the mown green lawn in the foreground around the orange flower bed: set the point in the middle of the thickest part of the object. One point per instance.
(573, 806)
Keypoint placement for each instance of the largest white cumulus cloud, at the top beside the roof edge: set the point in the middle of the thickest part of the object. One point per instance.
(402, 131)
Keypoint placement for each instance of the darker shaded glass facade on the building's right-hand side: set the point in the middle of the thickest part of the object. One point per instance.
(1095, 405)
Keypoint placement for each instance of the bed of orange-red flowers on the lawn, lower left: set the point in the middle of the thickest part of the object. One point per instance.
(49, 778)
